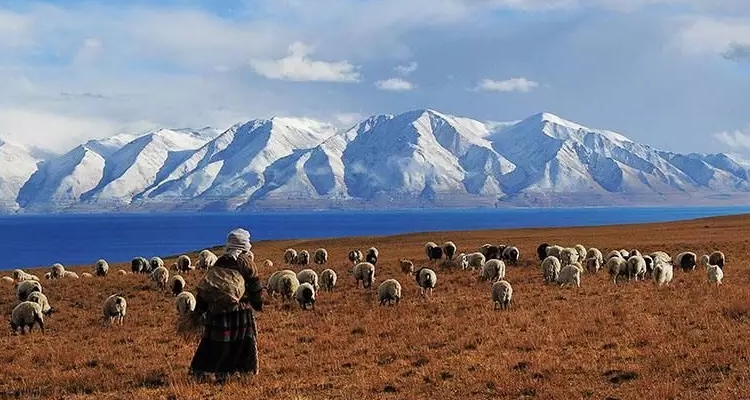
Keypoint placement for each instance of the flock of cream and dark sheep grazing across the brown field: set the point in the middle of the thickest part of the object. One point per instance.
(559, 265)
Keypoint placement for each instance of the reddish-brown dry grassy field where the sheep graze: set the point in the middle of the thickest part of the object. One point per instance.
(630, 341)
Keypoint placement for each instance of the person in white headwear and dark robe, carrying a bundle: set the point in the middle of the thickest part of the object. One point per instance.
(225, 299)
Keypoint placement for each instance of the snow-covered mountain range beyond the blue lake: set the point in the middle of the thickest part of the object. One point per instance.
(421, 157)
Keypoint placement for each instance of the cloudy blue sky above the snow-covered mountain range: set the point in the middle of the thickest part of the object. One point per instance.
(674, 74)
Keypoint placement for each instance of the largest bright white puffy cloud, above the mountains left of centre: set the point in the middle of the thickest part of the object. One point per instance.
(298, 67)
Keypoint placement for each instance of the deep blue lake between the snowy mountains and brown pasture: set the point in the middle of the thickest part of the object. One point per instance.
(40, 240)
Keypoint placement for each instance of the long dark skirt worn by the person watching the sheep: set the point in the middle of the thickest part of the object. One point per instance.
(229, 345)
